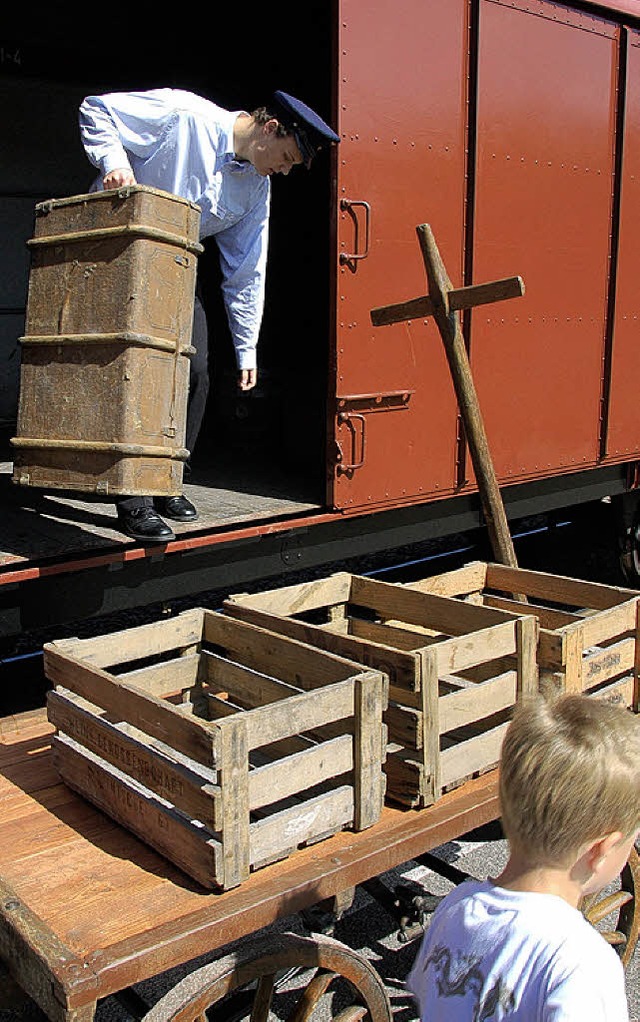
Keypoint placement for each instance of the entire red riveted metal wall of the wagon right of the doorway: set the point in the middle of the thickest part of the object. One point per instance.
(513, 129)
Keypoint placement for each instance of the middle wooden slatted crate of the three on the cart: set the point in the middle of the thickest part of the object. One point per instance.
(450, 694)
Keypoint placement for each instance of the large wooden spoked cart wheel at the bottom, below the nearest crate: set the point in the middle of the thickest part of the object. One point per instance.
(251, 980)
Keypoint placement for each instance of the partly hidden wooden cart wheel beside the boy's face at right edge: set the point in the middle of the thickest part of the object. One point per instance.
(617, 914)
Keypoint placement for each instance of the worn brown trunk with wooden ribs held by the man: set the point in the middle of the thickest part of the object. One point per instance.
(106, 356)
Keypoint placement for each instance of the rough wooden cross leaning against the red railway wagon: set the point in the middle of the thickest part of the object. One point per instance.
(443, 303)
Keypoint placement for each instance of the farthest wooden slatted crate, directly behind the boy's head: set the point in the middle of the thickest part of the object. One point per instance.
(588, 631)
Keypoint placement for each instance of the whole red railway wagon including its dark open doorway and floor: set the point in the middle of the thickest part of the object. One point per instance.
(513, 127)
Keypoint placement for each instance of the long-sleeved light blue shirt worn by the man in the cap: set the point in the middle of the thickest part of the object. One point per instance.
(181, 144)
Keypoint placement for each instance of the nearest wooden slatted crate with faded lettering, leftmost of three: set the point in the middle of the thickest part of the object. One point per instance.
(223, 747)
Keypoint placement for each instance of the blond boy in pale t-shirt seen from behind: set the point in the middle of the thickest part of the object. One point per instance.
(518, 948)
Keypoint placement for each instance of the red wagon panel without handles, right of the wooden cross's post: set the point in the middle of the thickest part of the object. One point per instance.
(543, 210)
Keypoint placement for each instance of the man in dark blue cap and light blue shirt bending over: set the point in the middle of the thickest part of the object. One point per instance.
(223, 161)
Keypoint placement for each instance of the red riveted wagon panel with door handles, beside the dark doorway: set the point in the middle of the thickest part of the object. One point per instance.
(402, 90)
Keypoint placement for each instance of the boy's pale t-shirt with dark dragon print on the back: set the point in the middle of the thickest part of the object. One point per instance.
(496, 955)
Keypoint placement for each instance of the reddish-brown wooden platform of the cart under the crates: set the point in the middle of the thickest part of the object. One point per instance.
(86, 910)
